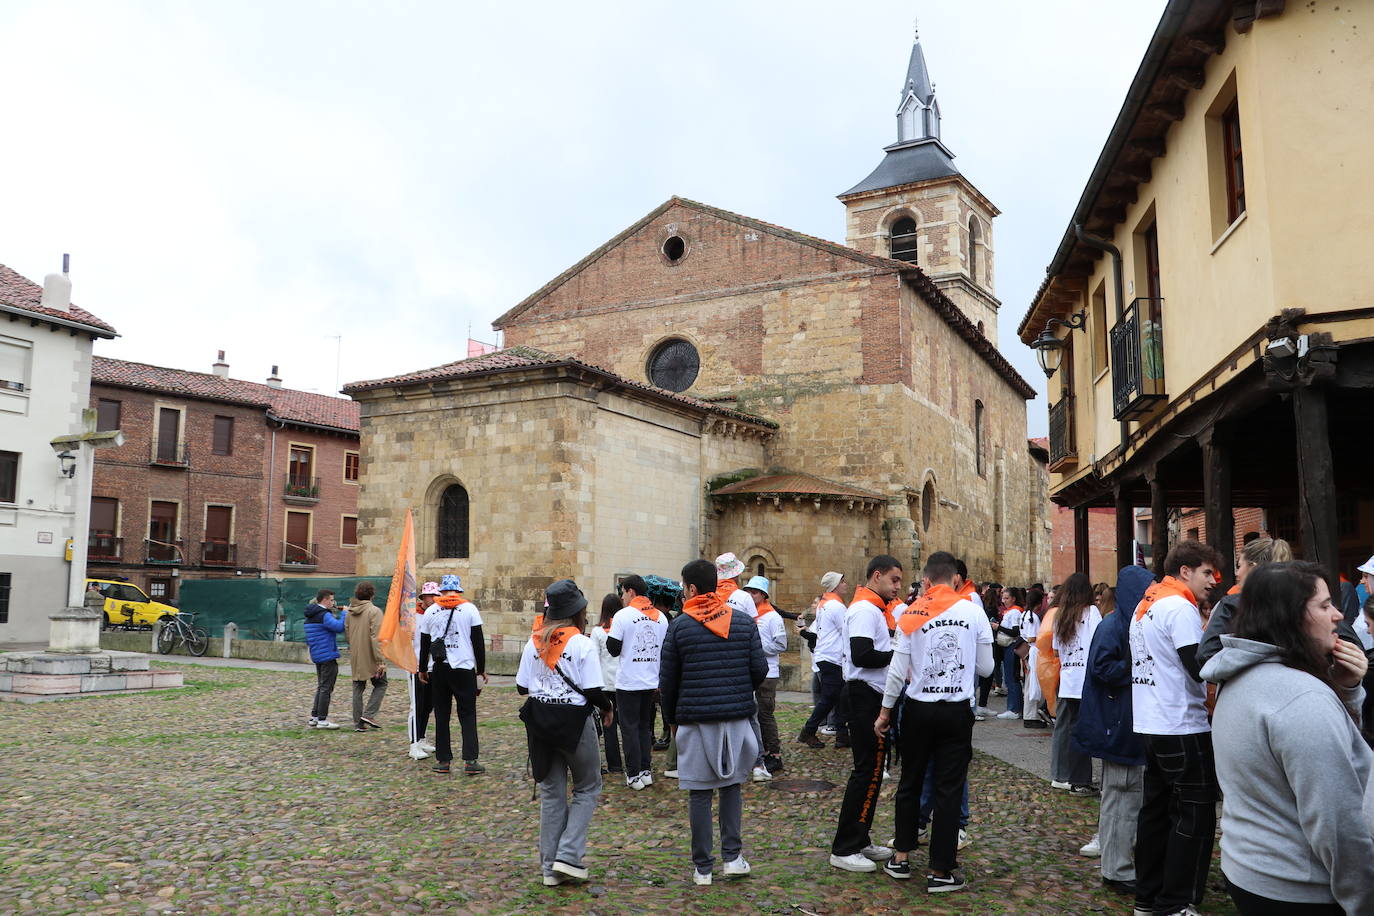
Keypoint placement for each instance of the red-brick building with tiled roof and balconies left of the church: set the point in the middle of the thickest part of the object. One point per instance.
(221, 477)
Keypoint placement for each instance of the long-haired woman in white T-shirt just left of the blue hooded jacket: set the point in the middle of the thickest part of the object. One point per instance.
(1075, 621)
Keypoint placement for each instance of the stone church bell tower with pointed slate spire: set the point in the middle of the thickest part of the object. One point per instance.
(917, 207)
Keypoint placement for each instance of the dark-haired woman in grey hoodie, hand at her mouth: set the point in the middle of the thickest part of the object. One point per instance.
(1295, 772)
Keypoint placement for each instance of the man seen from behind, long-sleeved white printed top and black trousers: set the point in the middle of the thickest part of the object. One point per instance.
(943, 646)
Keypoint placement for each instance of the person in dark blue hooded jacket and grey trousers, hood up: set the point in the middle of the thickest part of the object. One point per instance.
(1104, 730)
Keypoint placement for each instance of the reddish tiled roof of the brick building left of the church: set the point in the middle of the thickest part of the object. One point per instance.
(286, 404)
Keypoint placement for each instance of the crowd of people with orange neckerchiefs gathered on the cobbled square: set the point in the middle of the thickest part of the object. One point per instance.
(1254, 700)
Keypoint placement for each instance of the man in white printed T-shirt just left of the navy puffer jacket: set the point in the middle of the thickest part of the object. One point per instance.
(637, 639)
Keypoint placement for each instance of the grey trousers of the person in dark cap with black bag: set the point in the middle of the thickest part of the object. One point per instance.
(563, 825)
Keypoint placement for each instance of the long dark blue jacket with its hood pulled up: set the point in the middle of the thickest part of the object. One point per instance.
(1104, 727)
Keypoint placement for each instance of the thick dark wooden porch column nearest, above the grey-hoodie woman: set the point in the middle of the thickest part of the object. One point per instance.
(1317, 484)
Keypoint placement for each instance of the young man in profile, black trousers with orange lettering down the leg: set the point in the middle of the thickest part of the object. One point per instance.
(869, 652)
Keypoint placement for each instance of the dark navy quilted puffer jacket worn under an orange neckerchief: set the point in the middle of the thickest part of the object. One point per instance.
(707, 679)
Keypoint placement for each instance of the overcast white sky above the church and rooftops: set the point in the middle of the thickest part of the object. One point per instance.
(260, 178)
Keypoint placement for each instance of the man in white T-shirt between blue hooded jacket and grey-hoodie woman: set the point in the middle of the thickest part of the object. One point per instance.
(1178, 815)
